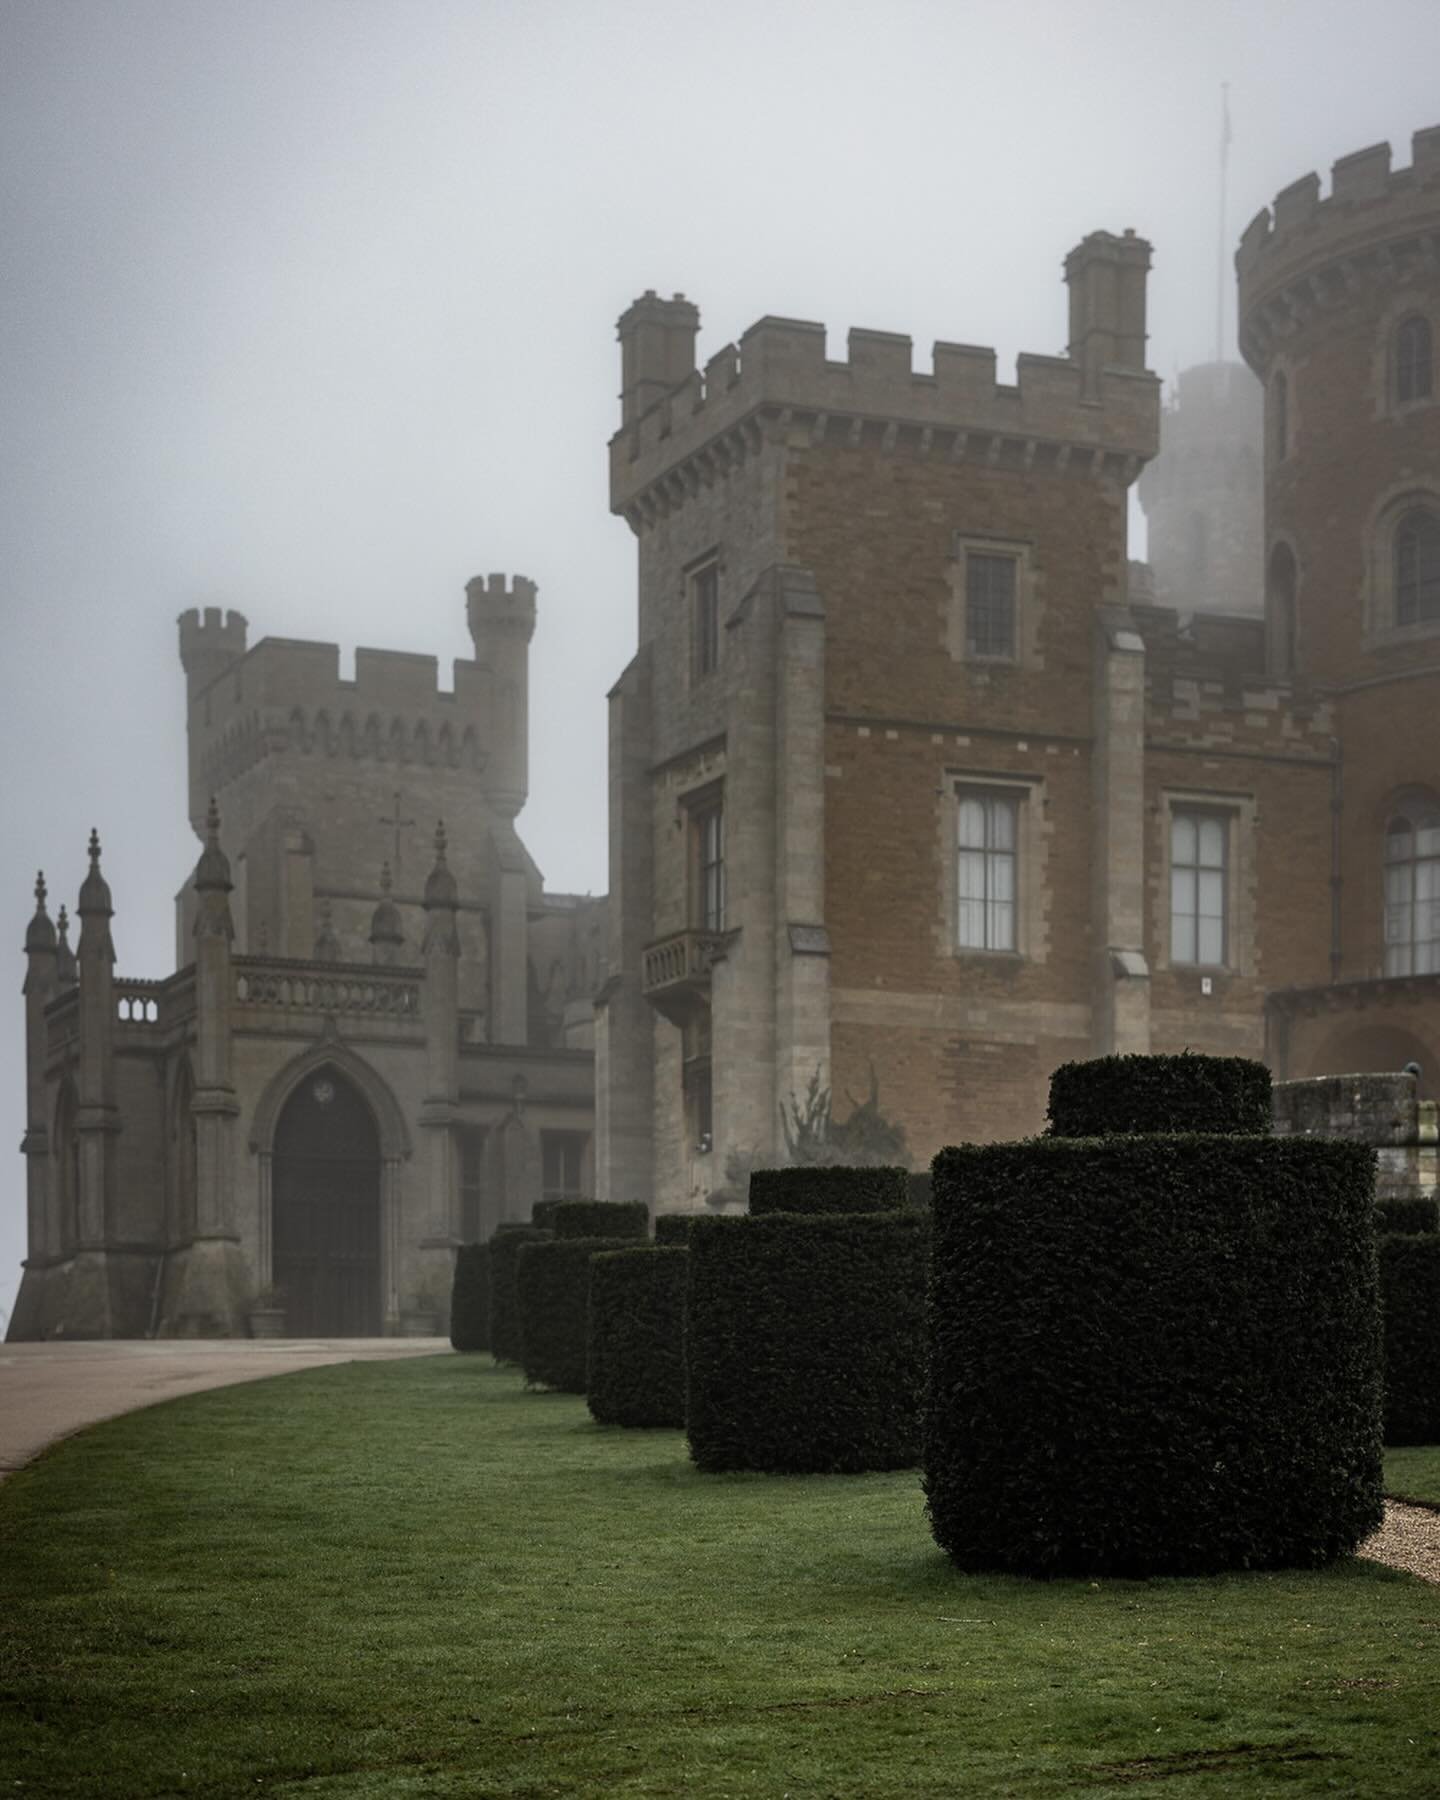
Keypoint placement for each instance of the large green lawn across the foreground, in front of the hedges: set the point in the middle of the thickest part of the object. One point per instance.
(420, 1579)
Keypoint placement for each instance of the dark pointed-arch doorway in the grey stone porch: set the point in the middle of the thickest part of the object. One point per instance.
(327, 1210)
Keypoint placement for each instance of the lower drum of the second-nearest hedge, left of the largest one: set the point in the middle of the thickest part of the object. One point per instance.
(805, 1342)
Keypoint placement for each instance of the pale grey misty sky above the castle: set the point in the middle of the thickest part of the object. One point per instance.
(309, 310)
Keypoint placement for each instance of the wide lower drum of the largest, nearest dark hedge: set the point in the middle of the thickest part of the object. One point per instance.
(1153, 1354)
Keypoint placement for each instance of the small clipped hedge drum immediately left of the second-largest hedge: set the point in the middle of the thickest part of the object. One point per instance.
(636, 1371)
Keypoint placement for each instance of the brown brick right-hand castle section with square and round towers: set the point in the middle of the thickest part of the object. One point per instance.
(913, 775)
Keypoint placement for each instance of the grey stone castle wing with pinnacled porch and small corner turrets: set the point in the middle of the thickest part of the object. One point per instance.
(379, 1036)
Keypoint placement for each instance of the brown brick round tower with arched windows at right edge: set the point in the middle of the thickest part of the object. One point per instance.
(1340, 318)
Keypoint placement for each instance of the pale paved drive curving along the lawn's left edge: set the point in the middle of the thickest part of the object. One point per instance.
(55, 1389)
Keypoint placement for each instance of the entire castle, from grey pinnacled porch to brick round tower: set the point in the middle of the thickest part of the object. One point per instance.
(915, 778)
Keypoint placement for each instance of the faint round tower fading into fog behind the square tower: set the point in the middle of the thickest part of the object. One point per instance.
(1203, 494)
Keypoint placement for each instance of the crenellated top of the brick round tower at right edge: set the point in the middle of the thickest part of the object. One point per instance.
(1371, 210)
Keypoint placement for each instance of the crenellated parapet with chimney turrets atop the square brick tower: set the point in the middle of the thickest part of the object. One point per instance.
(778, 379)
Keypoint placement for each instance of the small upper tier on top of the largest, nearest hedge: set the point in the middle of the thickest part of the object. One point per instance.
(1185, 1093)
